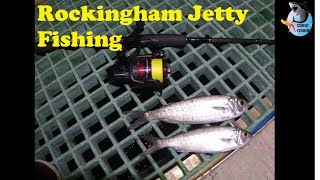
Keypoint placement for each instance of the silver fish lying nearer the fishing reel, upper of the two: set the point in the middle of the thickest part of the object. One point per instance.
(199, 110)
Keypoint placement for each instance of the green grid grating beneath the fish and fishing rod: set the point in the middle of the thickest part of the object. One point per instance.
(80, 126)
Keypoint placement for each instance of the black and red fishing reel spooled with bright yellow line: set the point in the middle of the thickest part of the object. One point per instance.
(141, 72)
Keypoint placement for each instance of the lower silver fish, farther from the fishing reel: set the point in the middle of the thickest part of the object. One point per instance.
(215, 139)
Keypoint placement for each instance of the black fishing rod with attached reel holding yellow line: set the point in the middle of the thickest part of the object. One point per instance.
(150, 71)
